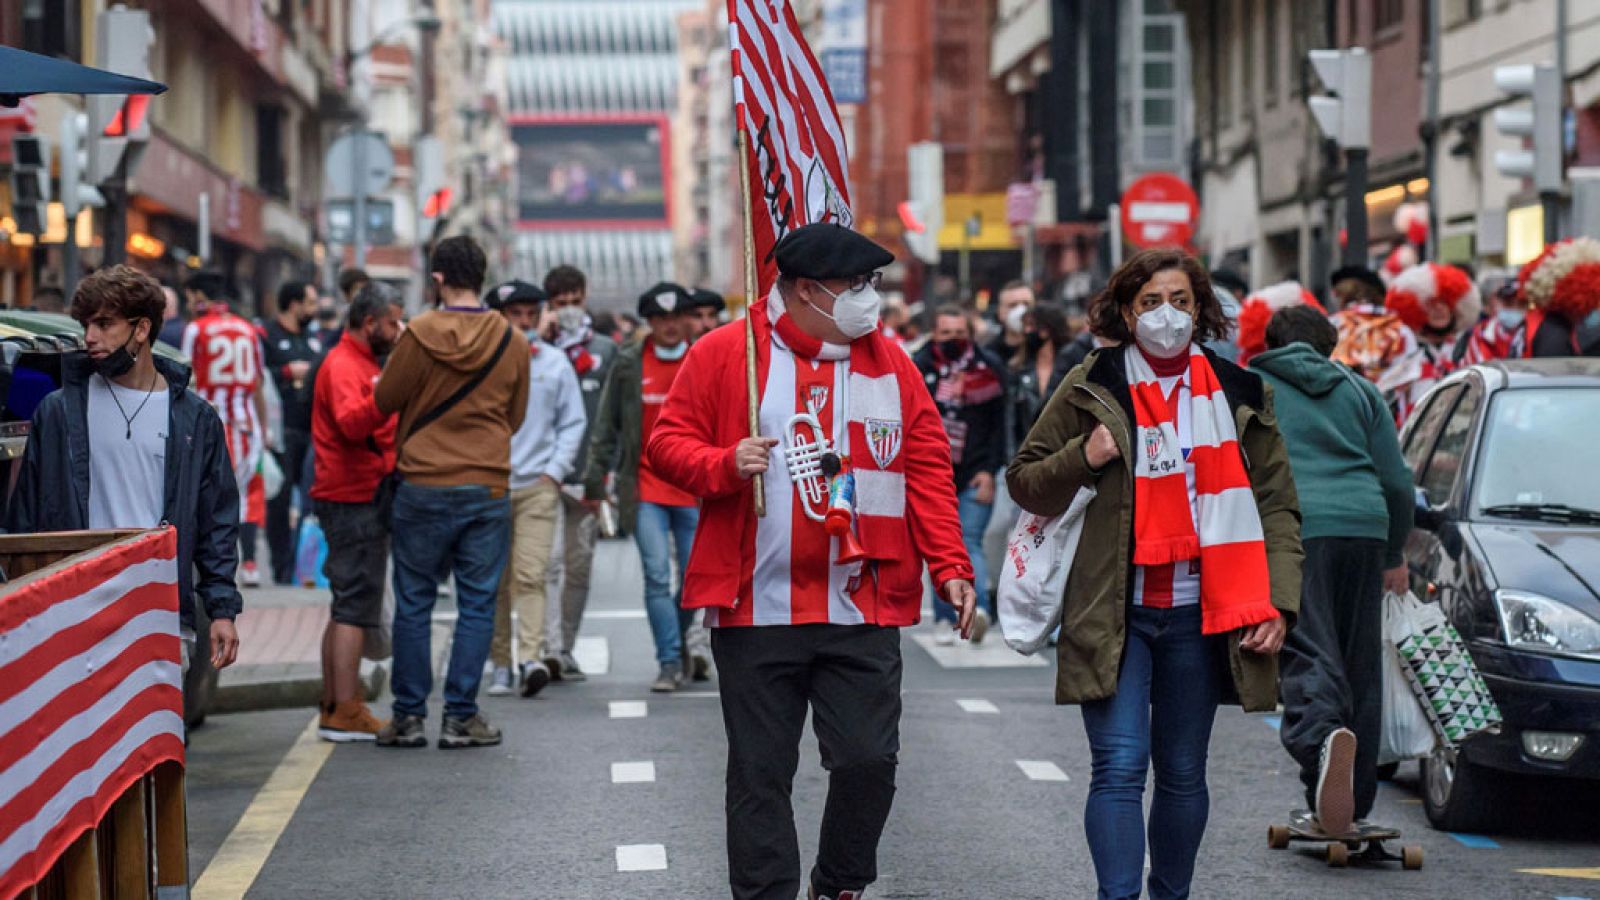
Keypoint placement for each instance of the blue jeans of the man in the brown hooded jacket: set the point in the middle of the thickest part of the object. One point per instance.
(439, 531)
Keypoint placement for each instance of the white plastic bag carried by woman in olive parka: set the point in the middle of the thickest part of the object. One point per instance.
(1034, 574)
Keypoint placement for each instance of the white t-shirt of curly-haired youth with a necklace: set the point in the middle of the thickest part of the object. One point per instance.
(127, 475)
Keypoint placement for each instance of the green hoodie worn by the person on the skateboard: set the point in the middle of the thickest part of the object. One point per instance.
(1343, 449)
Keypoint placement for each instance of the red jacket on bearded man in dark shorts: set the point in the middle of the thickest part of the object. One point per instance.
(354, 443)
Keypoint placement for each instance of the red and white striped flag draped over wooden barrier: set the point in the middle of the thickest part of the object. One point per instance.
(90, 696)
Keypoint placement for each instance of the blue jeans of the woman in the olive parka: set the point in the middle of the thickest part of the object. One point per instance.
(1162, 713)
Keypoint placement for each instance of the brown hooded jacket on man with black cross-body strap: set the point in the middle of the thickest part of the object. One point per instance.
(471, 444)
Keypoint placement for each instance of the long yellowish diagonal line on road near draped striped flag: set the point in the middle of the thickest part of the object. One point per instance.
(238, 864)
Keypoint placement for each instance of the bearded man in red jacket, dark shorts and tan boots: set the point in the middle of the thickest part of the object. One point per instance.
(356, 452)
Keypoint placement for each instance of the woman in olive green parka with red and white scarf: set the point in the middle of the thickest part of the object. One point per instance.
(1180, 601)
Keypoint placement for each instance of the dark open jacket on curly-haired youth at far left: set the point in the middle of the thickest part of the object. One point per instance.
(201, 496)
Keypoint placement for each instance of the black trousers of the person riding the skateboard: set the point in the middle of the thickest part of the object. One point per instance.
(1332, 662)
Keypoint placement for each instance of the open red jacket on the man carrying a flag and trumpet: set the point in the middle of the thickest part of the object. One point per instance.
(694, 446)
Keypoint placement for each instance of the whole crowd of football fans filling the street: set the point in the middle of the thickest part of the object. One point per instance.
(1249, 500)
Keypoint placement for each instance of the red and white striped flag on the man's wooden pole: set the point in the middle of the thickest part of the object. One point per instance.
(798, 156)
